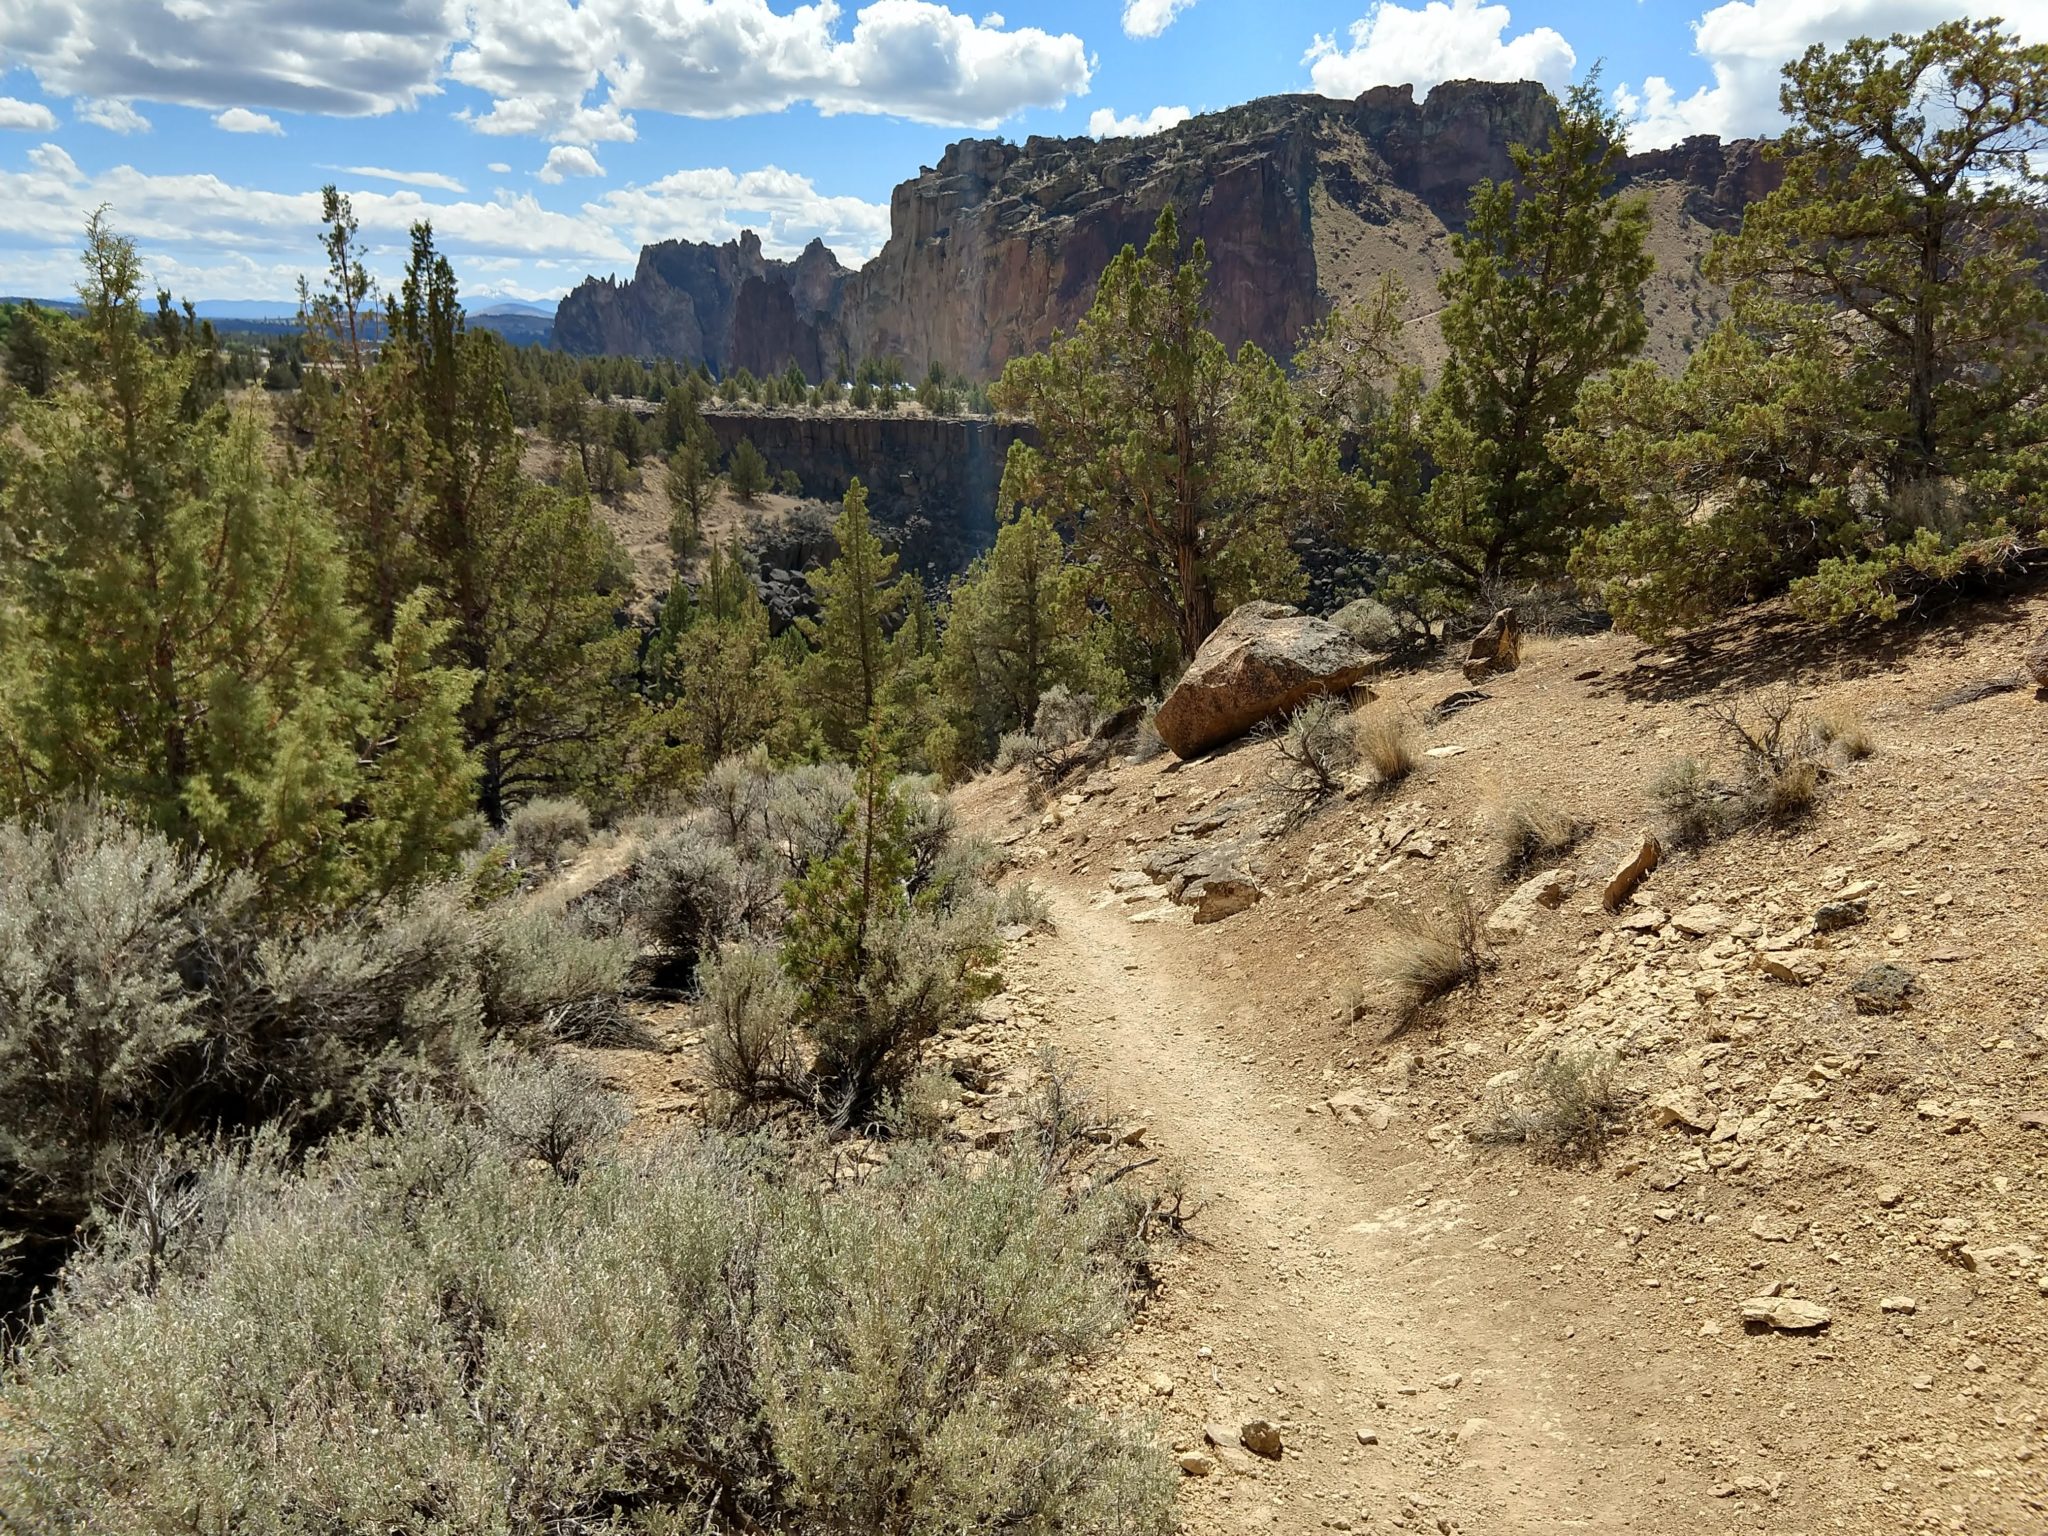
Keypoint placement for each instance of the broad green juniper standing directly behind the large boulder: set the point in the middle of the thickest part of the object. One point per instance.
(1175, 462)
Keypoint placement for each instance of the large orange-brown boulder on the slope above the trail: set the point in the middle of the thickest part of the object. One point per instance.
(1261, 663)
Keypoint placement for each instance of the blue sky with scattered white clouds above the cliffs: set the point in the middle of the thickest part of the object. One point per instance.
(552, 138)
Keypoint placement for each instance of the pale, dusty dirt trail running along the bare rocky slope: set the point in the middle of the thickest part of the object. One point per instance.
(1332, 1295)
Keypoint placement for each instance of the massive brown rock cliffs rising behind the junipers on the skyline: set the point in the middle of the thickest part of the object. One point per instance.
(1304, 204)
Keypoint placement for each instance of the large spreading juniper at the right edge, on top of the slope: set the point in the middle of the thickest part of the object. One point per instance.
(1871, 425)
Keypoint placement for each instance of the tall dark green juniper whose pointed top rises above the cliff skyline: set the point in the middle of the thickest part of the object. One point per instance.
(1547, 294)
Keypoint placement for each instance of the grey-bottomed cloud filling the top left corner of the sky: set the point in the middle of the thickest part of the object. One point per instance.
(349, 58)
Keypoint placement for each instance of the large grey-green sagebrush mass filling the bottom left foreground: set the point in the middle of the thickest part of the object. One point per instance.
(658, 1345)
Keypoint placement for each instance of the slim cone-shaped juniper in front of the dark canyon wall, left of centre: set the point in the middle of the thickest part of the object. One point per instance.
(853, 667)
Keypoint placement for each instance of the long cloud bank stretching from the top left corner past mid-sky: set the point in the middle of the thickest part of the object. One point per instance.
(568, 71)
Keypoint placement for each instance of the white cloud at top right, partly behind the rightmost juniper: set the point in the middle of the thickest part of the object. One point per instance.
(1746, 46)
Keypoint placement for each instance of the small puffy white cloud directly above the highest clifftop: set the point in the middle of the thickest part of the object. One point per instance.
(1445, 40)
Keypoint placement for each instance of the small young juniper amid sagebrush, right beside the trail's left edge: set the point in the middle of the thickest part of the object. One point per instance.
(880, 970)
